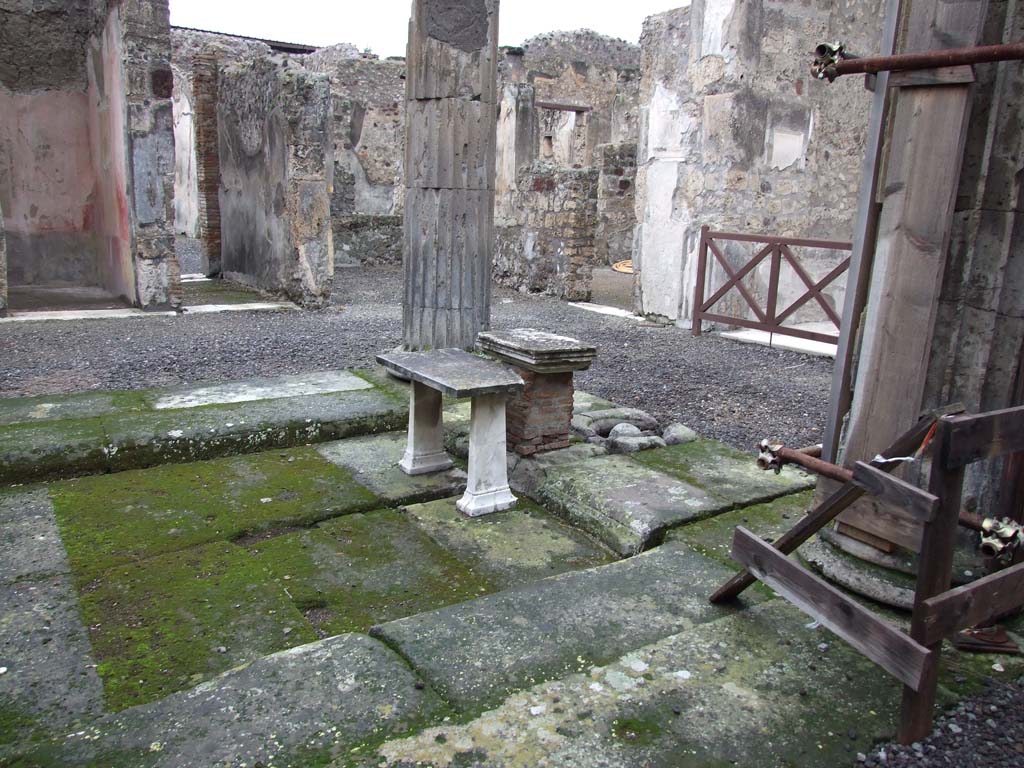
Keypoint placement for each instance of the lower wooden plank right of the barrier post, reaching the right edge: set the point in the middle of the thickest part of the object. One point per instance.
(972, 605)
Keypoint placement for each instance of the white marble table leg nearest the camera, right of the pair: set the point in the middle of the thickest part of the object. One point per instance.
(488, 490)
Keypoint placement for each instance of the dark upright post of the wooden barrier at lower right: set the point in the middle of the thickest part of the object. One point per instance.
(934, 577)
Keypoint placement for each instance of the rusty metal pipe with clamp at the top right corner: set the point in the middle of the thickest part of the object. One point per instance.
(832, 61)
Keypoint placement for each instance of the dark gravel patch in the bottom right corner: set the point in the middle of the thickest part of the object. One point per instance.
(987, 732)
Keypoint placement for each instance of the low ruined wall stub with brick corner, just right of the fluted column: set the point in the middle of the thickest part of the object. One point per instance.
(549, 247)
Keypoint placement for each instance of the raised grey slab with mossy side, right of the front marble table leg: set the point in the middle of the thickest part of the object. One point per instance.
(624, 504)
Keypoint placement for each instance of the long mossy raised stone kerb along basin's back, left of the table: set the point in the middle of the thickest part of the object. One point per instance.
(123, 434)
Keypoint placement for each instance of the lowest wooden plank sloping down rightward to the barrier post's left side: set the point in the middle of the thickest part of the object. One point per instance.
(877, 639)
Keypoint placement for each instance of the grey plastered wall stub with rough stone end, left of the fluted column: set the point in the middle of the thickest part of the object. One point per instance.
(276, 168)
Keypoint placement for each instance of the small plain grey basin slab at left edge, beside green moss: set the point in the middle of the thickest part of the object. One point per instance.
(30, 544)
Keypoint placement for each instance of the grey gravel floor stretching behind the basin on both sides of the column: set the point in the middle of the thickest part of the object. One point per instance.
(721, 389)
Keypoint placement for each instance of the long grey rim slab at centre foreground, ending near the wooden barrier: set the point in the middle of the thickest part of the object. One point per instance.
(478, 653)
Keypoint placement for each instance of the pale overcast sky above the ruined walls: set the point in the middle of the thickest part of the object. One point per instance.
(383, 25)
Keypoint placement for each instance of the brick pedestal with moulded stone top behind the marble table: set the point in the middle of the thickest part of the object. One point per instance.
(539, 416)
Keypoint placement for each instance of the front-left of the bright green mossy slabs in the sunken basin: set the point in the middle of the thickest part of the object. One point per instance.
(173, 622)
